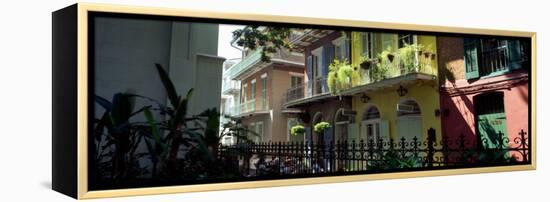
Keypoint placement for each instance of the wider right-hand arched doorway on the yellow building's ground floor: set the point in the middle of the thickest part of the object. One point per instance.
(409, 121)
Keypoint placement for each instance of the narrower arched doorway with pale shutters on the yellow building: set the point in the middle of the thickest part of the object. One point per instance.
(370, 125)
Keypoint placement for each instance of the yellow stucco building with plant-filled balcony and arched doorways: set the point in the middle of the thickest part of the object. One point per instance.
(397, 94)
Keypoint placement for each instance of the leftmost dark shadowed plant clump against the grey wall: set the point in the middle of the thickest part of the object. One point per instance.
(117, 138)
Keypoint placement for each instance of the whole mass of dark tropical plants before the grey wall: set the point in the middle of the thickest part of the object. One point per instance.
(178, 146)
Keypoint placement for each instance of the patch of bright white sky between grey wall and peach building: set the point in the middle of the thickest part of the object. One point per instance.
(224, 38)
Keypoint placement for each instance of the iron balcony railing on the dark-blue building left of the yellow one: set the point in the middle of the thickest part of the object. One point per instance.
(307, 90)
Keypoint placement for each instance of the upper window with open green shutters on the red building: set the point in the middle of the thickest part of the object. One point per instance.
(491, 56)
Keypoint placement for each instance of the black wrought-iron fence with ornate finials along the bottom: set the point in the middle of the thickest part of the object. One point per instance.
(290, 158)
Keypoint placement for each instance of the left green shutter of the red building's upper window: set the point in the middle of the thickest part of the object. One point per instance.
(471, 59)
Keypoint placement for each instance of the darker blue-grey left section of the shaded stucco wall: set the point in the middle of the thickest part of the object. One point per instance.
(126, 51)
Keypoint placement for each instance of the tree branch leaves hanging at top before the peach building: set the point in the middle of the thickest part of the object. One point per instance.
(269, 39)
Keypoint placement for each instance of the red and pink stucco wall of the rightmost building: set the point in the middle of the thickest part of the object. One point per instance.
(459, 115)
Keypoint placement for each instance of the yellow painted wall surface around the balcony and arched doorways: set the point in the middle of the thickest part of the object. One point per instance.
(425, 93)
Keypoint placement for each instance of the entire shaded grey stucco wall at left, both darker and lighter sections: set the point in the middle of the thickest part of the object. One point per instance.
(126, 51)
